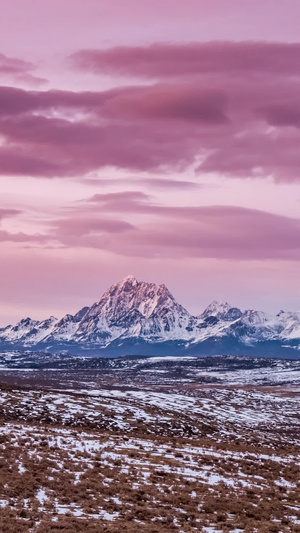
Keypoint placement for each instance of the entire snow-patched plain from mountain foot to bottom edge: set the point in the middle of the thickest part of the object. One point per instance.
(162, 444)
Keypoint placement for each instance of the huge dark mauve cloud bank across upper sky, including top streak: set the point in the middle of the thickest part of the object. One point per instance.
(222, 108)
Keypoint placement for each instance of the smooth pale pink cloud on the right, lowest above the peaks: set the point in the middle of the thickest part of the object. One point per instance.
(222, 235)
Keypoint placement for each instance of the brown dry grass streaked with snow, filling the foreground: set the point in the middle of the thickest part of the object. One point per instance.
(67, 470)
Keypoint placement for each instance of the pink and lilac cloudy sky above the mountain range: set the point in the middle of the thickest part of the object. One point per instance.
(159, 139)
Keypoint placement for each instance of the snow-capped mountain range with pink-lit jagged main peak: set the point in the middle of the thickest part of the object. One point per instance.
(138, 317)
